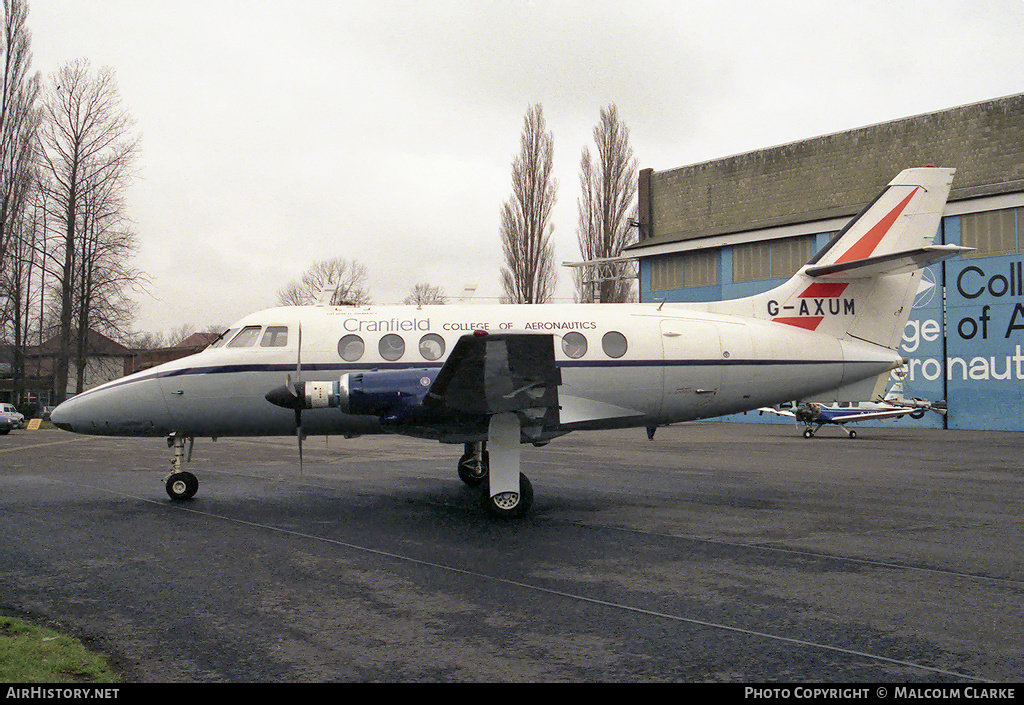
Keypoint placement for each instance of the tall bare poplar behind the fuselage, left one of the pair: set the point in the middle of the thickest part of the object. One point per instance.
(529, 275)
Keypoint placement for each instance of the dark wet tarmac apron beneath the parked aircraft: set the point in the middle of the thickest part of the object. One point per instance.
(715, 553)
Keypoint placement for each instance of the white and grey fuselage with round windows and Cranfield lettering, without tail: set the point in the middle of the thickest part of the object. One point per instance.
(622, 365)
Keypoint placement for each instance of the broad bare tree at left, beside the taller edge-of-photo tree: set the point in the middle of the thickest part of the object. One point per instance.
(87, 153)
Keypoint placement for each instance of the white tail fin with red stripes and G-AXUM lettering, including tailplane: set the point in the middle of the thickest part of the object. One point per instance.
(862, 285)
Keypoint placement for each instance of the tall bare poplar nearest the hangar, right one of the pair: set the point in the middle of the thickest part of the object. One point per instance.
(609, 191)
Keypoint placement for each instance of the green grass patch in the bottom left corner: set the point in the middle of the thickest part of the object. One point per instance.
(34, 654)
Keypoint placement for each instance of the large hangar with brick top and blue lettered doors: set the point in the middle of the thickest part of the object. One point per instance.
(743, 225)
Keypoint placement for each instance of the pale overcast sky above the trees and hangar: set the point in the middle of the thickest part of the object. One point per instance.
(276, 134)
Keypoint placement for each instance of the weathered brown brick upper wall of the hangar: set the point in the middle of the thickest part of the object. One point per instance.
(836, 176)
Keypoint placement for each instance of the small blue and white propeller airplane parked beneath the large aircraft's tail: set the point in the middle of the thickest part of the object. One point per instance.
(817, 414)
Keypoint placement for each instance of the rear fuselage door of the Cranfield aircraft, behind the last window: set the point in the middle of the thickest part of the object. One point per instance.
(693, 367)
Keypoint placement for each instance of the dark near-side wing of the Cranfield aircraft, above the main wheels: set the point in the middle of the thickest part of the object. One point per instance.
(488, 375)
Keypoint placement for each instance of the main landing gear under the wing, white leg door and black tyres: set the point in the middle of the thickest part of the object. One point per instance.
(507, 492)
